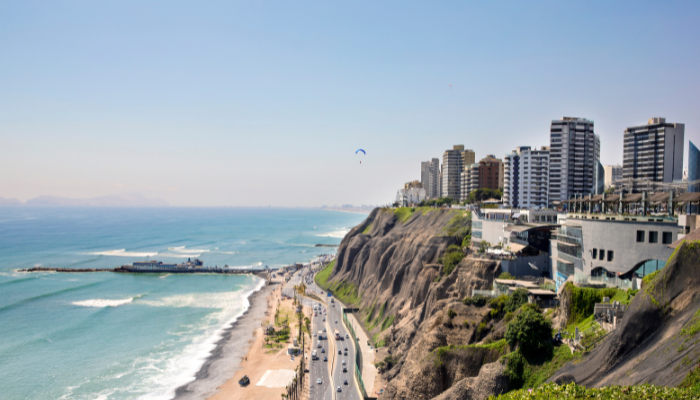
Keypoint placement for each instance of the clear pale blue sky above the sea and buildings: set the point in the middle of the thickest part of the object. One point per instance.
(257, 103)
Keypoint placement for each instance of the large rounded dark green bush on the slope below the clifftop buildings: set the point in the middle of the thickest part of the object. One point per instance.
(531, 331)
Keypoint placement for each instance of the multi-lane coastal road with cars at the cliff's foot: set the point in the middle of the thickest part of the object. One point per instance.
(319, 368)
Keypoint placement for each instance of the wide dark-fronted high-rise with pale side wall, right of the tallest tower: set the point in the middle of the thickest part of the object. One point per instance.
(654, 151)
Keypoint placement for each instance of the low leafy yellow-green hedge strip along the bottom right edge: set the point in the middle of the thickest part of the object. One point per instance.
(574, 391)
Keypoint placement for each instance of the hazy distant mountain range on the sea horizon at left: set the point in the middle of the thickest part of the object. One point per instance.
(124, 200)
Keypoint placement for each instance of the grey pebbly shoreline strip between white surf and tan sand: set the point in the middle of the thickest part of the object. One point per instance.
(224, 360)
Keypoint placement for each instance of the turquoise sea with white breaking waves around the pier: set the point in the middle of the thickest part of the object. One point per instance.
(124, 336)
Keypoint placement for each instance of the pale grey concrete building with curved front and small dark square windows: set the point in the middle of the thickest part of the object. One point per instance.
(609, 250)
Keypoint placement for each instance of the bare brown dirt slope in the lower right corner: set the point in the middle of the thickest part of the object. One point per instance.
(658, 340)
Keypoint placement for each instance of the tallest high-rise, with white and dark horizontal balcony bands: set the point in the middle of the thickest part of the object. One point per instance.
(573, 159)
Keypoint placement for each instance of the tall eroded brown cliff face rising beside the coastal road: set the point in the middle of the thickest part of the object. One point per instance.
(394, 267)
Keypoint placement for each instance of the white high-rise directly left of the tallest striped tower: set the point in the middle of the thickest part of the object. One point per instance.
(526, 180)
